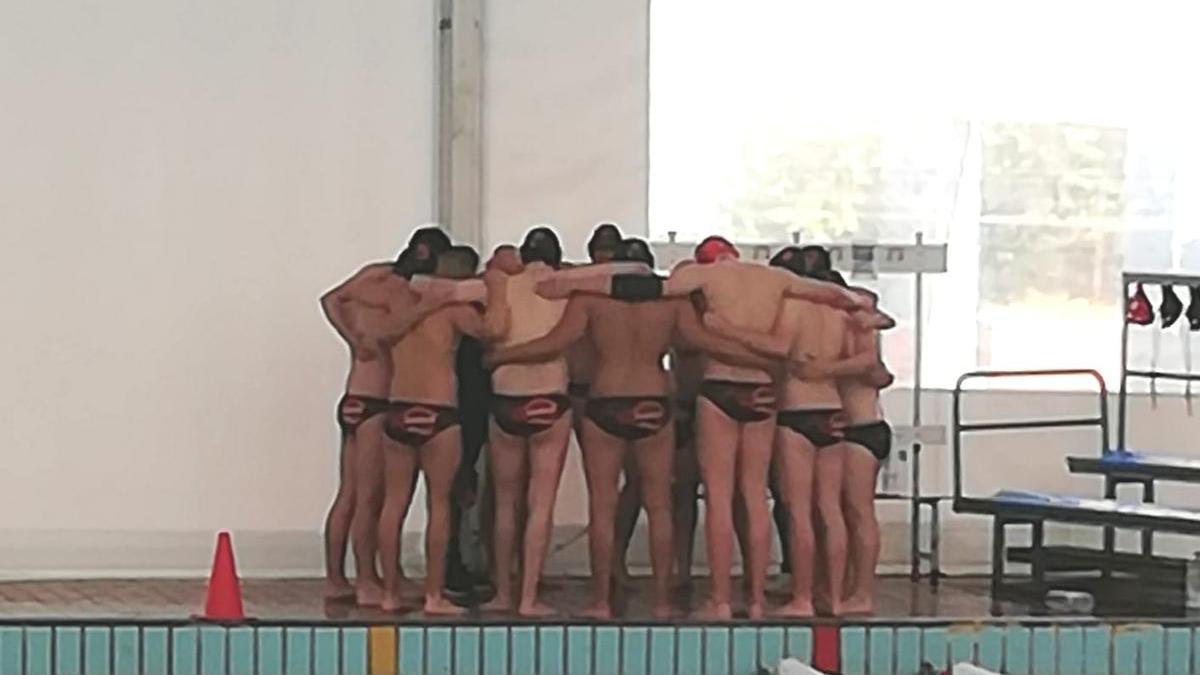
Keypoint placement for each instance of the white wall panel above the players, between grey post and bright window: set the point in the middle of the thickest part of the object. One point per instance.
(566, 95)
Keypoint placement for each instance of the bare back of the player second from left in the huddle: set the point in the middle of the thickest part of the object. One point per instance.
(425, 360)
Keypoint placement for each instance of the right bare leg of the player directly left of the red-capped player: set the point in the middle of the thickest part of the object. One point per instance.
(655, 459)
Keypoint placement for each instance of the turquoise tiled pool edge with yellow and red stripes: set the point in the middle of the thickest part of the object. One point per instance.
(897, 648)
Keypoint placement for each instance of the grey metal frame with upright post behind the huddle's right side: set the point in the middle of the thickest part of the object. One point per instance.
(868, 261)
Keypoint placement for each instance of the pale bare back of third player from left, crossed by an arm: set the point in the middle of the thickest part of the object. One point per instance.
(532, 316)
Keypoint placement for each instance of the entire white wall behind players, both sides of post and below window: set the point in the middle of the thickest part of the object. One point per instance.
(178, 184)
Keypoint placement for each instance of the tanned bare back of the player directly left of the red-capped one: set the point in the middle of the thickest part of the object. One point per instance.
(631, 341)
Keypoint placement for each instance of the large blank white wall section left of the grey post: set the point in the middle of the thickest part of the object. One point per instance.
(179, 182)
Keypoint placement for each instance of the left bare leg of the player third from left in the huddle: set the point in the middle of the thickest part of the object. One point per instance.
(507, 456)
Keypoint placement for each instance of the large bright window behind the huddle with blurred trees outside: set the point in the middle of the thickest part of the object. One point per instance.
(1052, 146)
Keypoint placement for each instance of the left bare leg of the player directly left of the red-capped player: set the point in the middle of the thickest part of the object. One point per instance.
(602, 462)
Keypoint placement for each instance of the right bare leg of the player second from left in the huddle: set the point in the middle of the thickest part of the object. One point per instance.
(440, 462)
